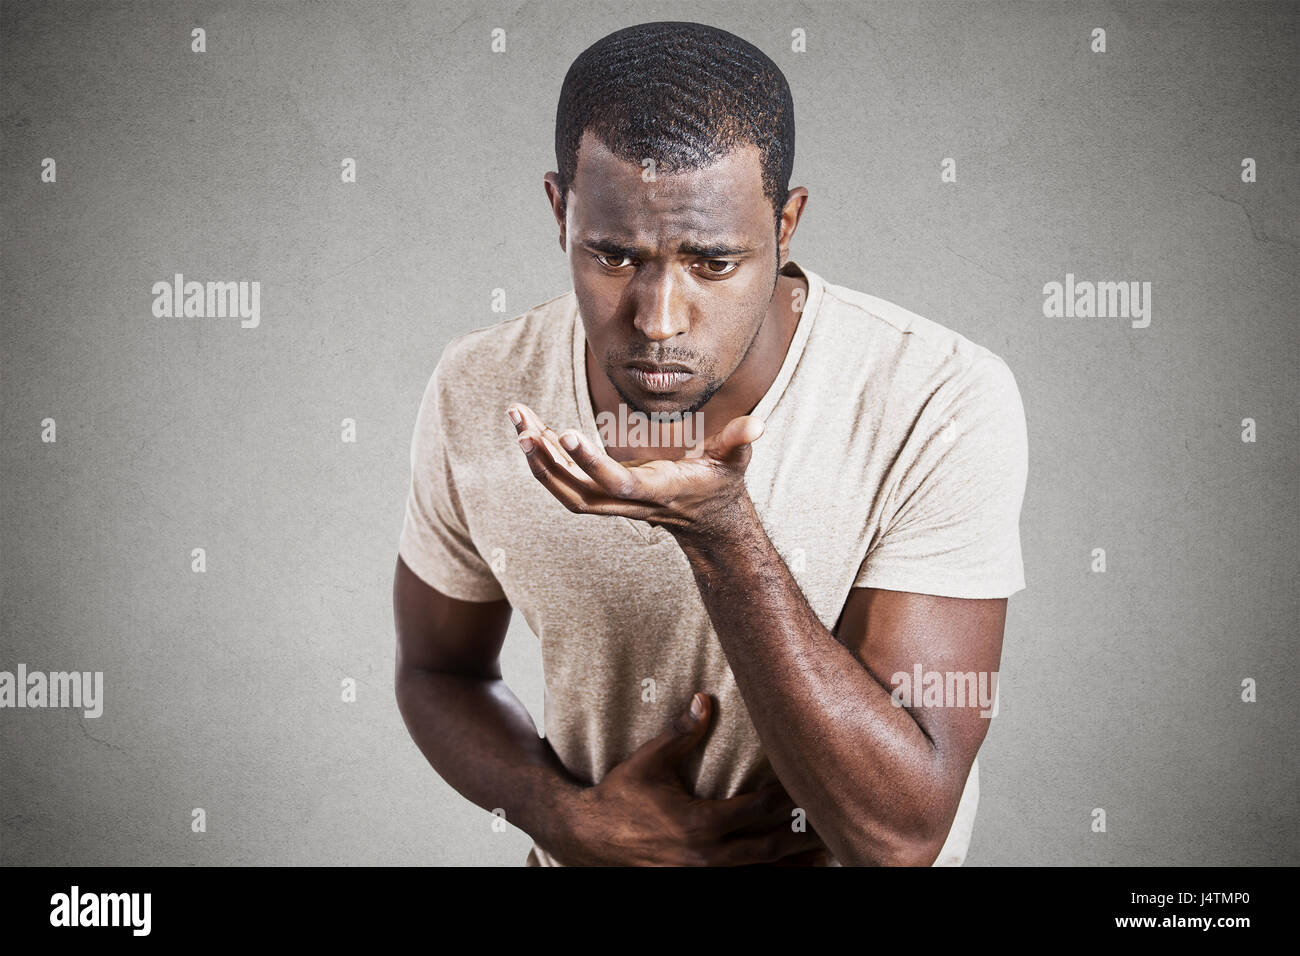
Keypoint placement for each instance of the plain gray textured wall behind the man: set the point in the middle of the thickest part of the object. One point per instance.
(1119, 690)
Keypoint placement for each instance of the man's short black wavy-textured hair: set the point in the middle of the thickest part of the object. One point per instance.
(682, 94)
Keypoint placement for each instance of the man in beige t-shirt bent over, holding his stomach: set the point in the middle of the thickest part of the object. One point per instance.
(726, 625)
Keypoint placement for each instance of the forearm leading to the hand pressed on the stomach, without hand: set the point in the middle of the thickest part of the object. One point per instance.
(482, 741)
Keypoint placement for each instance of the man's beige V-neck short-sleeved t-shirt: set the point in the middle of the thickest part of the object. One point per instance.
(895, 456)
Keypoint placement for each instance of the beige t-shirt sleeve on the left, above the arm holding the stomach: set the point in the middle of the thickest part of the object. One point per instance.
(436, 543)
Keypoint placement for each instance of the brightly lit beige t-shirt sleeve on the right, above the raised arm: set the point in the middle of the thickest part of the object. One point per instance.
(954, 526)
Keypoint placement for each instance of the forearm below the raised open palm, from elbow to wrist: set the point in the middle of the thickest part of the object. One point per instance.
(863, 769)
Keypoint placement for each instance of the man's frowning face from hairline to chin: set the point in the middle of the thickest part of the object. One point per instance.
(679, 271)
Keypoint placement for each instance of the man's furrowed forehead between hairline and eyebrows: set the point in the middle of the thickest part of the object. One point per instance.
(725, 198)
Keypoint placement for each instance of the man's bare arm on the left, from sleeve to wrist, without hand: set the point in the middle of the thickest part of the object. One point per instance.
(463, 717)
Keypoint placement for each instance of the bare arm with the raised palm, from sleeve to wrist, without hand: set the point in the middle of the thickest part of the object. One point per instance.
(882, 784)
